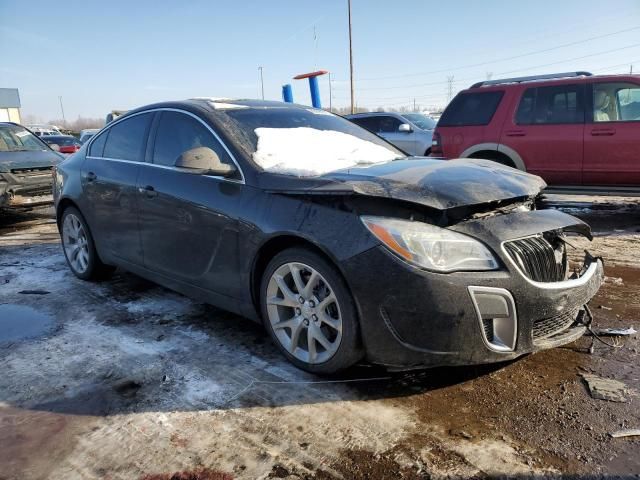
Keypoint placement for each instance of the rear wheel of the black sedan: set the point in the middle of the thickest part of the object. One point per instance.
(79, 248)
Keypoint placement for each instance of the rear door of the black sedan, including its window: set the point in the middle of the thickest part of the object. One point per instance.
(109, 175)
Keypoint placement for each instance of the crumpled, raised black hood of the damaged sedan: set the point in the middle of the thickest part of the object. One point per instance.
(439, 184)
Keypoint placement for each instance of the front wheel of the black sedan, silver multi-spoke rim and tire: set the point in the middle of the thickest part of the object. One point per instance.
(309, 312)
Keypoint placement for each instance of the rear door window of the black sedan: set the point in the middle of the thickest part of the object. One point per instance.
(127, 138)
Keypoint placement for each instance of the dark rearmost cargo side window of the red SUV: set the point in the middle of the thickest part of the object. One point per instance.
(468, 109)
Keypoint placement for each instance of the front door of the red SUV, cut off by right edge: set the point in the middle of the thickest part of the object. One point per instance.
(612, 134)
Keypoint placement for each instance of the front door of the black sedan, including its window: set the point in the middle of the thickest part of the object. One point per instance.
(188, 224)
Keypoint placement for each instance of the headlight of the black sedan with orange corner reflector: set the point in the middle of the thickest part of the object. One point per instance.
(431, 247)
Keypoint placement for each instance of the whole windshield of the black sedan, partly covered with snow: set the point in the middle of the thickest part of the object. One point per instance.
(309, 142)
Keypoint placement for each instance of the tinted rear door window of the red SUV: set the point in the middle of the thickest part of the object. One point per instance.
(551, 105)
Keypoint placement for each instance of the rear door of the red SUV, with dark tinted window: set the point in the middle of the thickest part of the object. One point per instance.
(547, 130)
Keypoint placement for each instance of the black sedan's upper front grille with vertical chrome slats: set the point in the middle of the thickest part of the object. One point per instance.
(541, 258)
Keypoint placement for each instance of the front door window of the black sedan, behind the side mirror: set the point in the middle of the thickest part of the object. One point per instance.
(177, 133)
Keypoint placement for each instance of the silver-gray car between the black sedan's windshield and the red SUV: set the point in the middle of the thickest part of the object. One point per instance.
(411, 132)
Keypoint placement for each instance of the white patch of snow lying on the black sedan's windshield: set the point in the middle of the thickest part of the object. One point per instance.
(307, 152)
